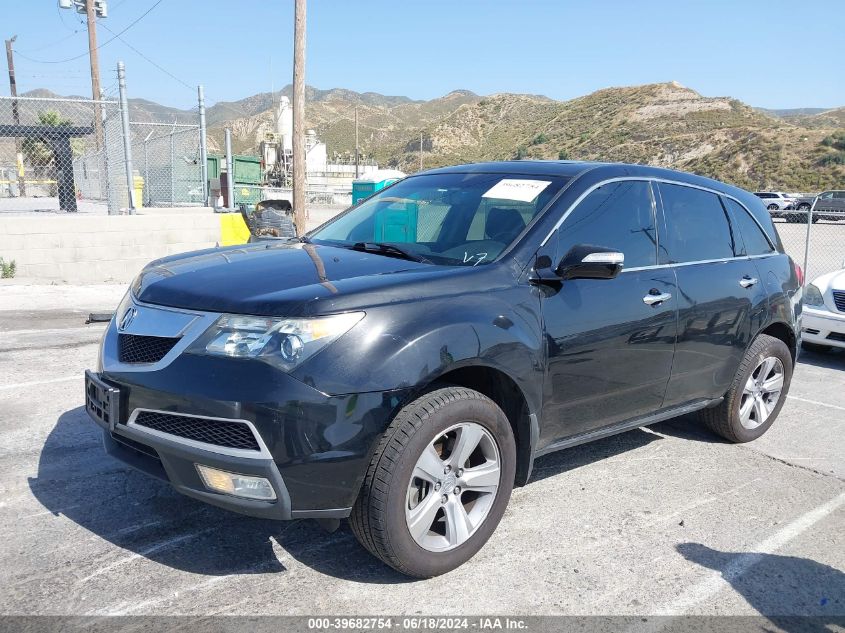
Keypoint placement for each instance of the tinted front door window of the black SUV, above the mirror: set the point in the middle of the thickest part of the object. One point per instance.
(618, 215)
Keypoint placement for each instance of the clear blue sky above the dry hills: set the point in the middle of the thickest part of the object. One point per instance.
(772, 54)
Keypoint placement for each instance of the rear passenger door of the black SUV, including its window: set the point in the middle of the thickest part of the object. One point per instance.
(720, 294)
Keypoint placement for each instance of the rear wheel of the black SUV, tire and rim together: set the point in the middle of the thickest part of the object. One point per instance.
(757, 393)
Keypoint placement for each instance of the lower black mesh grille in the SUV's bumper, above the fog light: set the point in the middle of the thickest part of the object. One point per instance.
(226, 433)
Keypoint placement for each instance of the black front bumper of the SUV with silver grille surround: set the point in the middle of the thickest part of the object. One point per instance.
(314, 447)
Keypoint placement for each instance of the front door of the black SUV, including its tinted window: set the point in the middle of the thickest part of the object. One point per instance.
(609, 344)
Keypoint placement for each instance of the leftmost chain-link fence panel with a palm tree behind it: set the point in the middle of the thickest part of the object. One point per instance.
(60, 154)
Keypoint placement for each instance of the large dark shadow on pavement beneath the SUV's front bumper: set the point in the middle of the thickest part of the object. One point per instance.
(144, 516)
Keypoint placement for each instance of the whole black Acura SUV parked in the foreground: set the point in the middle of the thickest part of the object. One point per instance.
(404, 364)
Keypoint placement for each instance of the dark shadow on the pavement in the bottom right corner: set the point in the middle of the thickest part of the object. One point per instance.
(779, 586)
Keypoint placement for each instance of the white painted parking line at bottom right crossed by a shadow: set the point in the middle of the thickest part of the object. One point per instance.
(719, 580)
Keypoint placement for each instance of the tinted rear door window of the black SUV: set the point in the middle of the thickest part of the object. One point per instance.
(697, 226)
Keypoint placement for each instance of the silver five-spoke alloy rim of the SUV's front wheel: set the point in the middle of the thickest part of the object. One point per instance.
(453, 486)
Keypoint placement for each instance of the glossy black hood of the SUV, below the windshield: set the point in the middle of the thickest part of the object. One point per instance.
(285, 279)
